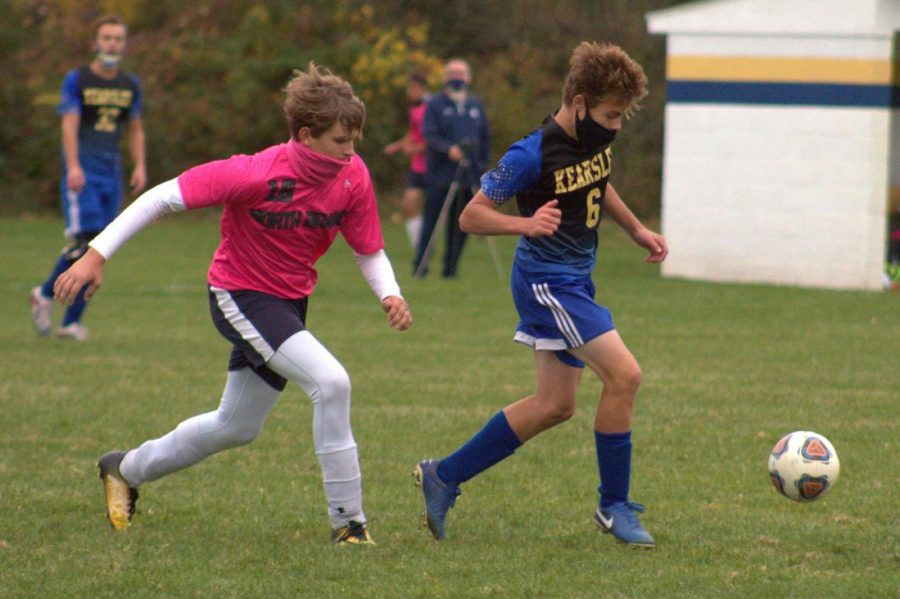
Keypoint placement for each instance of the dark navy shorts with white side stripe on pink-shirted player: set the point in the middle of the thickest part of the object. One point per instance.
(256, 324)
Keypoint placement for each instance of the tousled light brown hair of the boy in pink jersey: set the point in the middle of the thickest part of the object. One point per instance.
(318, 99)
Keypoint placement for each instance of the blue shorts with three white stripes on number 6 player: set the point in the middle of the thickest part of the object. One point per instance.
(557, 312)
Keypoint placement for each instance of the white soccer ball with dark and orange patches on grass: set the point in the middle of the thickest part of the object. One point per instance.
(803, 466)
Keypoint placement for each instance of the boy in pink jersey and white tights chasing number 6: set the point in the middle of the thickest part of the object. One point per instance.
(283, 207)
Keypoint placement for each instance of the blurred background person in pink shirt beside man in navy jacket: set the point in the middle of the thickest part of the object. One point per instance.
(413, 145)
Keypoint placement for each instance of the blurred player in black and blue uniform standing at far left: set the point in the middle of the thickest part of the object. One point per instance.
(96, 103)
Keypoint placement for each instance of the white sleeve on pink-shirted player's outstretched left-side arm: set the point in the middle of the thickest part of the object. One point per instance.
(153, 203)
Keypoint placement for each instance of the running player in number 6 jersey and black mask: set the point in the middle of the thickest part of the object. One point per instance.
(559, 176)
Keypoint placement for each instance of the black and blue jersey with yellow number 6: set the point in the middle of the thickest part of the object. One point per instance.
(548, 164)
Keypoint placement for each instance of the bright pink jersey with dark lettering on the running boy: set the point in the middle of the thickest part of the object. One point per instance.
(283, 207)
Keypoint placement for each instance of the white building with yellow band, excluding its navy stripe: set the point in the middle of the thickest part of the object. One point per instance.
(784, 194)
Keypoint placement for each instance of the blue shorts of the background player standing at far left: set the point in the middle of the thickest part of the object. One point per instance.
(94, 207)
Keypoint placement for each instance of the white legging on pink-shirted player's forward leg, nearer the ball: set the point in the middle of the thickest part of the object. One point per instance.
(304, 361)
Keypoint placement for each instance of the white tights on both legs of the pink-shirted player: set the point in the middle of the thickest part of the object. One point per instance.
(246, 403)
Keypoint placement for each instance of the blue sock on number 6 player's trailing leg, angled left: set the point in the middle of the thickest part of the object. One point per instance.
(492, 444)
